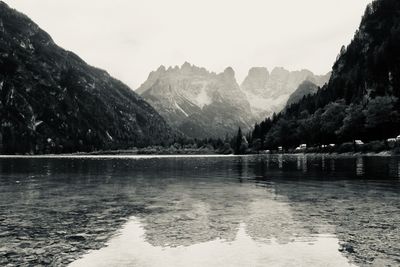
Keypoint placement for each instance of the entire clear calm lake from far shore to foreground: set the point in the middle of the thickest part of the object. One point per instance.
(270, 210)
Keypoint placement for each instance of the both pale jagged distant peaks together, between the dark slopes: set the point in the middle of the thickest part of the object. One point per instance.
(203, 104)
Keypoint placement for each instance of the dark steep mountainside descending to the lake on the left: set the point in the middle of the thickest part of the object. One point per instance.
(52, 101)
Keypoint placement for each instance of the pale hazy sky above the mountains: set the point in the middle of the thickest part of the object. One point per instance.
(130, 38)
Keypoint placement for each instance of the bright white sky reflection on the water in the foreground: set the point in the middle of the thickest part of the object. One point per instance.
(129, 248)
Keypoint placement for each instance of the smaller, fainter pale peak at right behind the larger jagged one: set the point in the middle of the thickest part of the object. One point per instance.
(269, 92)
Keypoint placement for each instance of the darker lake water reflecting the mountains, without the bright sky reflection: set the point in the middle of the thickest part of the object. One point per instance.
(187, 201)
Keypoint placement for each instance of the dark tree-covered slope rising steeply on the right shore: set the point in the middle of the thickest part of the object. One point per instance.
(361, 100)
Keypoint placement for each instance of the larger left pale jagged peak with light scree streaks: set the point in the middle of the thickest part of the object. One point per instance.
(197, 102)
